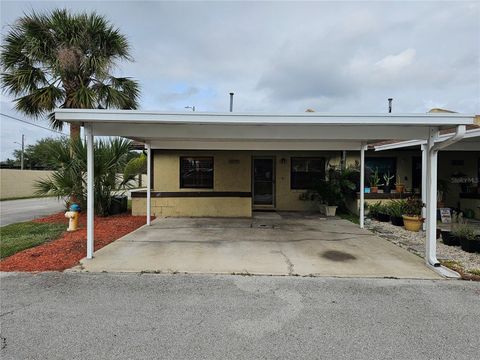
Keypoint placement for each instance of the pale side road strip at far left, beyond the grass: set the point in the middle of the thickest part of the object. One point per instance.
(13, 211)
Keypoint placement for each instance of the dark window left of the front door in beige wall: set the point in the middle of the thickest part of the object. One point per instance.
(196, 172)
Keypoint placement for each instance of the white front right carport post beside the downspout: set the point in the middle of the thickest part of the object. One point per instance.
(431, 211)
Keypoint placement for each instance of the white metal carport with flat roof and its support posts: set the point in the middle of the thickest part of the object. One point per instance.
(263, 131)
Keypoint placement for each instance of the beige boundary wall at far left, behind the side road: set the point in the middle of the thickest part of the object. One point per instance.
(20, 183)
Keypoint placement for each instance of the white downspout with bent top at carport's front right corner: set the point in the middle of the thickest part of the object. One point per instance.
(431, 254)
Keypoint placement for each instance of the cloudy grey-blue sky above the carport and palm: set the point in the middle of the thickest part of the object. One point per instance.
(286, 56)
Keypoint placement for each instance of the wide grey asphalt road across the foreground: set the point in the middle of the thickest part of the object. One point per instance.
(148, 316)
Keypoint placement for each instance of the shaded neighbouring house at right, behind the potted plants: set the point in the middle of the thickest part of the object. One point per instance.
(458, 169)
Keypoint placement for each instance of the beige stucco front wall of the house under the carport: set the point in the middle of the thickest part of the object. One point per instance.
(232, 172)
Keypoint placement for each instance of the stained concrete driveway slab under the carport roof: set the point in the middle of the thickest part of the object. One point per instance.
(268, 244)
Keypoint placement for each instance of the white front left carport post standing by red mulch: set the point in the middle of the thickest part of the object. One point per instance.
(90, 190)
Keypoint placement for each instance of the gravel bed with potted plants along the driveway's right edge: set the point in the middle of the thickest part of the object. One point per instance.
(415, 242)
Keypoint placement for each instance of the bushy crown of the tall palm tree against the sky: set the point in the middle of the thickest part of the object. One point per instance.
(65, 60)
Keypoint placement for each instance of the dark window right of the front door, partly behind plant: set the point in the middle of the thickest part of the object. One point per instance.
(305, 172)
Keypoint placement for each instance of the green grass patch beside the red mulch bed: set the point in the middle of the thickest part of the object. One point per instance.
(21, 236)
